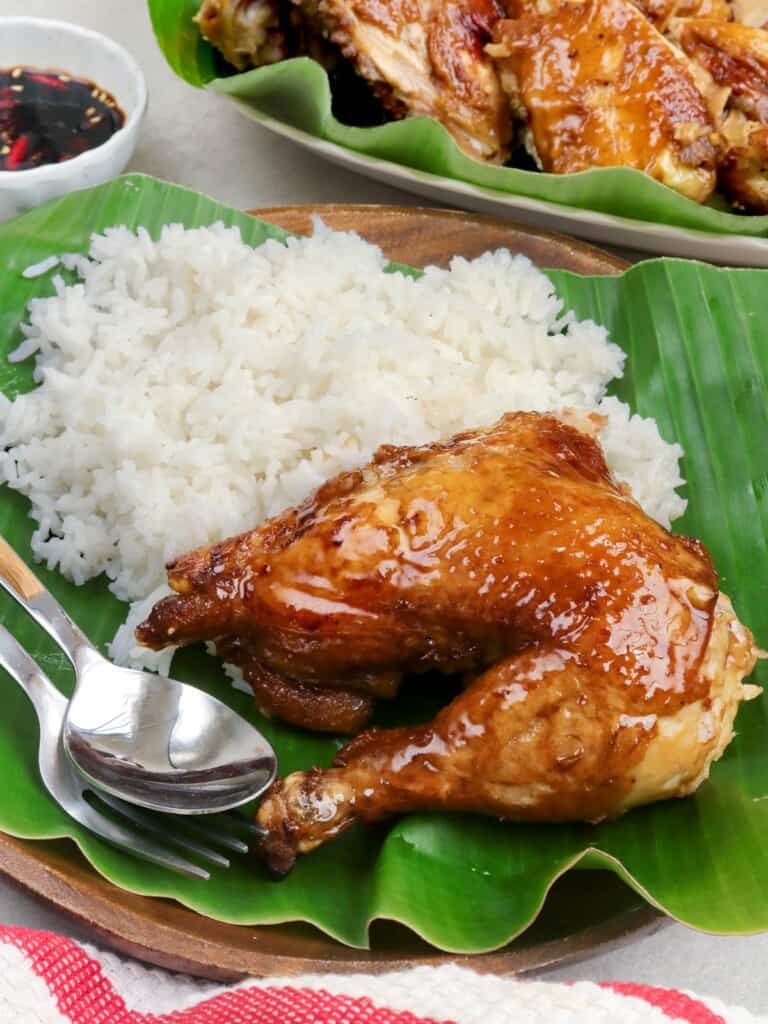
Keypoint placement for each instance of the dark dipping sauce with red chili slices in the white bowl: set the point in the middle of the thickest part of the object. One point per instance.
(48, 117)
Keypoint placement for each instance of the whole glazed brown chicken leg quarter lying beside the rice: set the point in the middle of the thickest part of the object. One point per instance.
(605, 669)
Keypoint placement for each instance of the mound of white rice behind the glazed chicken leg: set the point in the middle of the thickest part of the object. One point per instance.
(193, 387)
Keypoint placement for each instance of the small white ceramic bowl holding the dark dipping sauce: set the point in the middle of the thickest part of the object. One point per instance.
(65, 48)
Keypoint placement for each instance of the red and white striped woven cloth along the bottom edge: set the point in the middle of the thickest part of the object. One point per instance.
(49, 979)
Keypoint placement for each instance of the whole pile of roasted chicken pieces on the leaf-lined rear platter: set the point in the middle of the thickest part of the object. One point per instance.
(649, 84)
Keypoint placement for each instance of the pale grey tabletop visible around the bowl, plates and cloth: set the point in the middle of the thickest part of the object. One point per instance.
(200, 142)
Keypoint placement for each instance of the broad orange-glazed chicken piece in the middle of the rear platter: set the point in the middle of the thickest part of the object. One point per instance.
(599, 87)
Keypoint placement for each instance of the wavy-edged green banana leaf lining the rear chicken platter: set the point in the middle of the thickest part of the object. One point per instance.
(297, 94)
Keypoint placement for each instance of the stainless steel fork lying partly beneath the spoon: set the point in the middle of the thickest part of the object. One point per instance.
(146, 835)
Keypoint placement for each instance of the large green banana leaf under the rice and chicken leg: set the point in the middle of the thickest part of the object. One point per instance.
(698, 363)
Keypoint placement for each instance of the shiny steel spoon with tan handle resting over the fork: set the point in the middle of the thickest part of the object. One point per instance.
(146, 739)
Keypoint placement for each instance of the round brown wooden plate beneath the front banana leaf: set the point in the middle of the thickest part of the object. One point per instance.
(584, 911)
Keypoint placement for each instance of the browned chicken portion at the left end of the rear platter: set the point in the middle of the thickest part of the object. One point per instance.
(420, 57)
